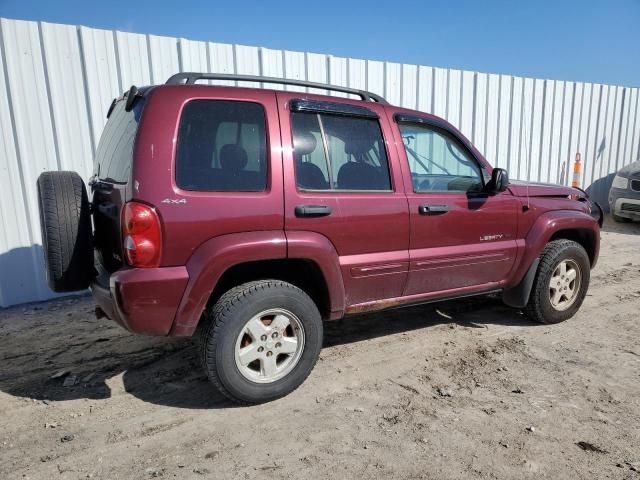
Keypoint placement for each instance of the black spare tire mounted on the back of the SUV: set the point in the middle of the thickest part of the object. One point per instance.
(65, 221)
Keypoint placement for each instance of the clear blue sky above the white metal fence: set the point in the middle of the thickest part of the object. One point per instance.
(595, 41)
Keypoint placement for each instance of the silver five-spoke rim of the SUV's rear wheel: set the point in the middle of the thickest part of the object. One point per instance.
(269, 345)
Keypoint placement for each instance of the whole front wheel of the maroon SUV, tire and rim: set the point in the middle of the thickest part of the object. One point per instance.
(561, 282)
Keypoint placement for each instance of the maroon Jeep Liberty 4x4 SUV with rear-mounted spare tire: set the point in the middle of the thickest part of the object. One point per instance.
(248, 216)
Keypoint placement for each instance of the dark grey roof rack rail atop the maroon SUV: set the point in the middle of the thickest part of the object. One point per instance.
(189, 78)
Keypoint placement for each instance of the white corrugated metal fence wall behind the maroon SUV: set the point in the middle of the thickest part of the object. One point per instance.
(57, 82)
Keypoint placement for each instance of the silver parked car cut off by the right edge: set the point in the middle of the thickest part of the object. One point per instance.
(624, 196)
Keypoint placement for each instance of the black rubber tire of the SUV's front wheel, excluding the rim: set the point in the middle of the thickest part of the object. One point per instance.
(539, 307)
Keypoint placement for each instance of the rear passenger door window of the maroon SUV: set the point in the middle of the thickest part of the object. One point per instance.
(334, 152)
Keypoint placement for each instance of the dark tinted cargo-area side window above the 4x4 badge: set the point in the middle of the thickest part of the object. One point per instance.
(222, 147)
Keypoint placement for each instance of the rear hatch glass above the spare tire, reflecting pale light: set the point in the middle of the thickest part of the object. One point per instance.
(115, 149)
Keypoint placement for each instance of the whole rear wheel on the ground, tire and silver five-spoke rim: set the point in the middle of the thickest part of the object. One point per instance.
(261, 340)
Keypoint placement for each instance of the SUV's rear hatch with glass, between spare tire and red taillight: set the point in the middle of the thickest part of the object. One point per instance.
(111, 183)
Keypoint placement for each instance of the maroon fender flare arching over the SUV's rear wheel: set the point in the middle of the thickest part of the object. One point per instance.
(228, 260)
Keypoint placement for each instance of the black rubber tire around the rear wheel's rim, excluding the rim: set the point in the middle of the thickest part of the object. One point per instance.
(227, 318)
